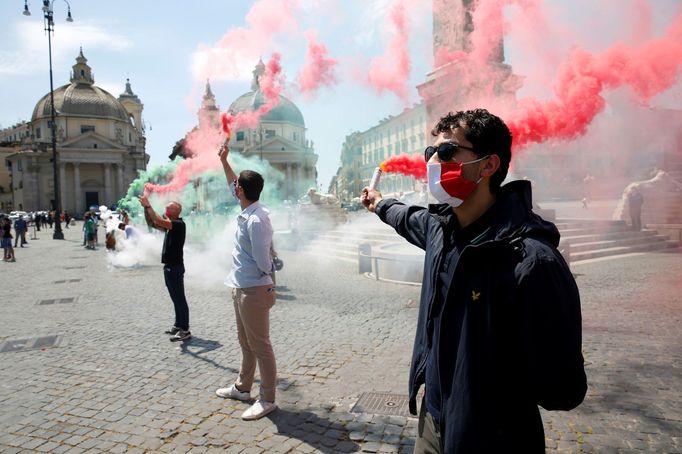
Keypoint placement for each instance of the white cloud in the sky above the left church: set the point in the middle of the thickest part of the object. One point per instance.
(29, 46)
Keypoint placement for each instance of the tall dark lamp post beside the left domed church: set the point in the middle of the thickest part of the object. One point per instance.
(48, 14)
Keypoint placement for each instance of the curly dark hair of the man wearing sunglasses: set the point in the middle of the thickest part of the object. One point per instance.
(487, 133)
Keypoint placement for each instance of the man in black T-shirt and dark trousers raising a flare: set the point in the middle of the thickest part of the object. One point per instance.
(173, 263)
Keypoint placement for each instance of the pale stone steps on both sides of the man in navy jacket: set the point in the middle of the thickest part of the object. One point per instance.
(580, 239)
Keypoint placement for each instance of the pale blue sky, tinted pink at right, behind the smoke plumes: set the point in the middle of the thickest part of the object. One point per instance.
(154, 44)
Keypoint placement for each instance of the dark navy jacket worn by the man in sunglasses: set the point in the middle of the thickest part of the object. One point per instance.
(510, 329)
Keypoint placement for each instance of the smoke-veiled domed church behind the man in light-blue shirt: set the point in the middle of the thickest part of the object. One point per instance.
(279, 139)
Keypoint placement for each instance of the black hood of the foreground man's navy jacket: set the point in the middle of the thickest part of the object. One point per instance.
(512, 215)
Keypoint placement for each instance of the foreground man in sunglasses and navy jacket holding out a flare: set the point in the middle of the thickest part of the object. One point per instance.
(499, 328)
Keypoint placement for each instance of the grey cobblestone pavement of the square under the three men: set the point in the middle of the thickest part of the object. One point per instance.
(114, 383)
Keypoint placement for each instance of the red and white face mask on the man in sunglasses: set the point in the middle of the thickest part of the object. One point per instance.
(447, 184)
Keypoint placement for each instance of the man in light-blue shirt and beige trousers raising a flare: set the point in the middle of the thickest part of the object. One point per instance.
(253, 292)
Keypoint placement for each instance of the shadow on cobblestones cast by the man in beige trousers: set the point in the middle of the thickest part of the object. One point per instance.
(318, 432)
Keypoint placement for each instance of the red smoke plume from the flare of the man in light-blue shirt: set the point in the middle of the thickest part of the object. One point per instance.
(203, 143)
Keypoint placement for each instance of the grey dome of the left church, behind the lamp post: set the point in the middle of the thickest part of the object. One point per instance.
(81, 98)
